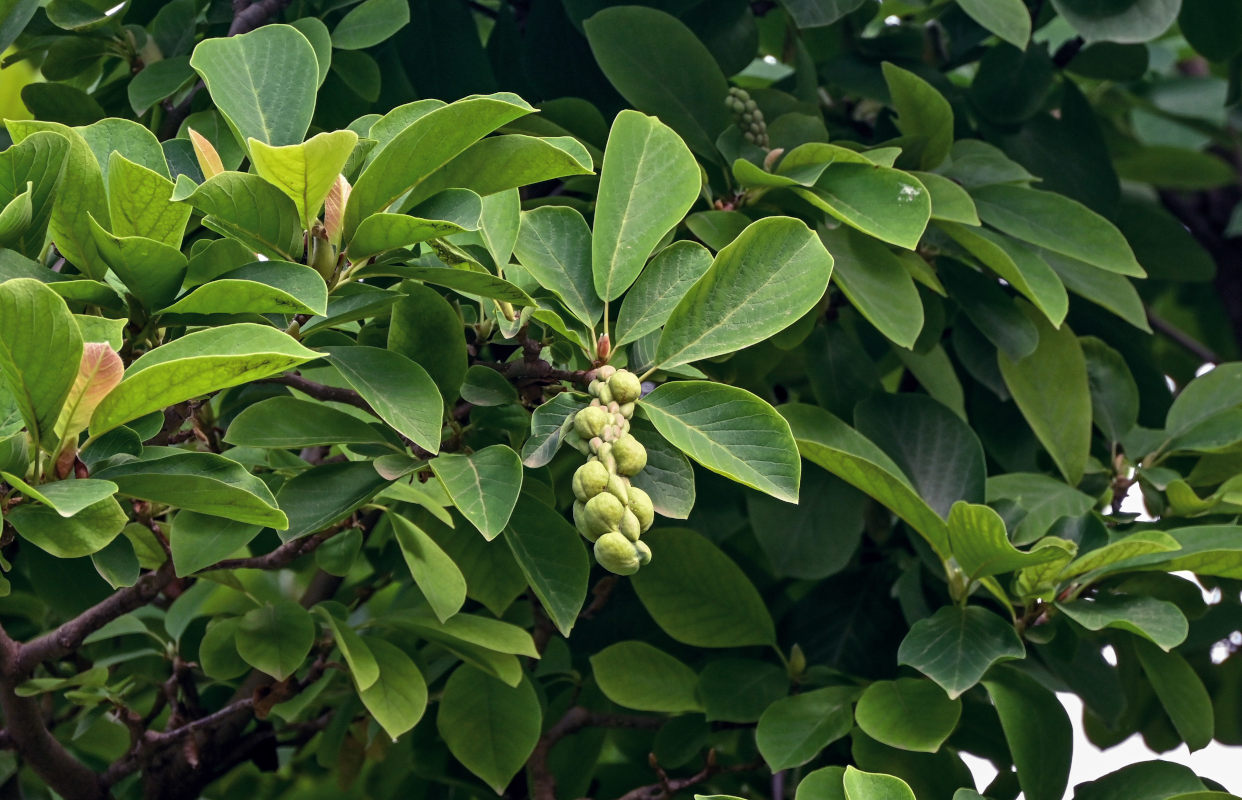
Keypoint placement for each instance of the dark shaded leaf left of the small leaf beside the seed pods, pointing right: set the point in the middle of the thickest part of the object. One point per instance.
(326, 494)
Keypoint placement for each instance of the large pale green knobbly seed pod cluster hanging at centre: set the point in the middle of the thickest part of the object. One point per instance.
(608, 510)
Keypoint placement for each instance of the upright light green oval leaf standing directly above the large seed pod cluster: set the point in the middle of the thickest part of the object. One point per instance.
(648, 184)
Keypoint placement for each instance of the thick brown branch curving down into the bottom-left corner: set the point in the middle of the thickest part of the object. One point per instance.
(34, 742)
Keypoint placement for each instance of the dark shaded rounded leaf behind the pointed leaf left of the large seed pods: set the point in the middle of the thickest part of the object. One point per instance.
(427, 330)
